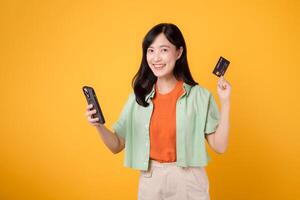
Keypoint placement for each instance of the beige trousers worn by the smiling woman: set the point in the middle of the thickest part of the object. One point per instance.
(166, 181)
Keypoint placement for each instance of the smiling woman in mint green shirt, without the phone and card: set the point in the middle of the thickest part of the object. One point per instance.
(165, 121)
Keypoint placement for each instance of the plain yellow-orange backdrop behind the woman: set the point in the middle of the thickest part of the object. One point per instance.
(50, 49)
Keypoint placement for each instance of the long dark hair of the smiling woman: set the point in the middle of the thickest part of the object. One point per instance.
(144, 79)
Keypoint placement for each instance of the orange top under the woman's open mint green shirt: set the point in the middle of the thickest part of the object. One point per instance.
(163, 124)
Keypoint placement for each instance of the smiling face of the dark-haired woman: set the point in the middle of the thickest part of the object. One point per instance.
(162, 56)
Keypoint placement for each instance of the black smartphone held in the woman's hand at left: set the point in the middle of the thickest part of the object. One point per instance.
(91, 98)
